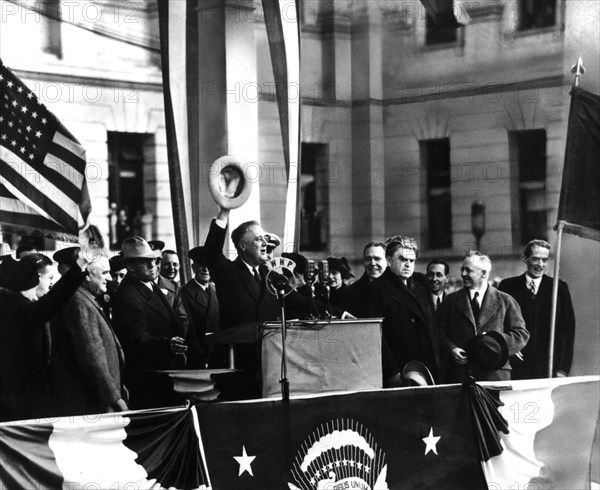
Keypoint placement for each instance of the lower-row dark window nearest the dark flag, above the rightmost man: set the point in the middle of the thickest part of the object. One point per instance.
(528, 156)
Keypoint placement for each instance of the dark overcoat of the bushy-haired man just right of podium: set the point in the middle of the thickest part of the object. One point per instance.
(409, 324)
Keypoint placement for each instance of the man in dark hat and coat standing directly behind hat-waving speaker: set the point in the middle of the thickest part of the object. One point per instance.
(200, 301)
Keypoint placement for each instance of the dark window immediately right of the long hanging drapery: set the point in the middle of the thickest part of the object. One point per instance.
(314, 197)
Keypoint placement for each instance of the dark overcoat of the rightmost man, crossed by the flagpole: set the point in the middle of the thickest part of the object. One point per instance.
(537, 314)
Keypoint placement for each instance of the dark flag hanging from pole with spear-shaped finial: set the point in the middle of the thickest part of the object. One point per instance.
(579, 206)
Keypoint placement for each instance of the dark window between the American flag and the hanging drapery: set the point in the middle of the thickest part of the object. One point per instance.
(126, 185)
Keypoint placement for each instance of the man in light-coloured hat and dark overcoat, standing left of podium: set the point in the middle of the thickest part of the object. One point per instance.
(149, 329)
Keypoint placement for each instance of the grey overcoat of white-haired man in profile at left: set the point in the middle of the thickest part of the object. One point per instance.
(87, 359)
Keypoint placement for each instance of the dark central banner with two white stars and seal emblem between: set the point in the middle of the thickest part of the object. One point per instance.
(410, 438)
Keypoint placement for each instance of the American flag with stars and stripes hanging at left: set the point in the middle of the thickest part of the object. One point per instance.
(42, 166)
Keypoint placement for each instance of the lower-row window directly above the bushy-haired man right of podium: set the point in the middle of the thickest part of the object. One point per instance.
(435, 159)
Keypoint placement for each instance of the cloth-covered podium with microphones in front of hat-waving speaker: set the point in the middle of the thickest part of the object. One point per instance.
(322, 356)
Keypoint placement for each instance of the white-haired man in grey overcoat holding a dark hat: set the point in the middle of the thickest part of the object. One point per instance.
(479, 326)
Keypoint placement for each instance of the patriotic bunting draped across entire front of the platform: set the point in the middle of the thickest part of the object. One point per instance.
(423, 437)
